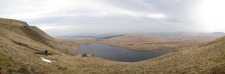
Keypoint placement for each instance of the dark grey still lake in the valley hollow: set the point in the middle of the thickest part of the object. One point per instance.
(118, 54)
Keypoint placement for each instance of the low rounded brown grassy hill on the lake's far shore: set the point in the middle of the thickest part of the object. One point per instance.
(144, 42)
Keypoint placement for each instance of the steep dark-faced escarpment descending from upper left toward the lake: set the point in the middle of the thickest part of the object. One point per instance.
(22, 28)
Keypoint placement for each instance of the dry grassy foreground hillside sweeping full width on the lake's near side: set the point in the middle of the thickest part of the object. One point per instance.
(18, 48)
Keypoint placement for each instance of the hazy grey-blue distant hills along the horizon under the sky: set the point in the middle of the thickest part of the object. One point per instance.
(207, 35)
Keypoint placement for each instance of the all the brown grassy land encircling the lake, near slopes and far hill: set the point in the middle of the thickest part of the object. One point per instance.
(19, 42)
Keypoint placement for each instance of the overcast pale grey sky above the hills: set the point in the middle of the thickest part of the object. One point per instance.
(75, 17)
